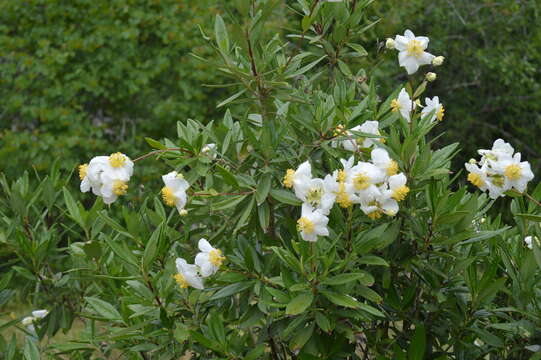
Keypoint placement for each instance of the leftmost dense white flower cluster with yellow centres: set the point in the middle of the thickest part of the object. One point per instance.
(107, 176)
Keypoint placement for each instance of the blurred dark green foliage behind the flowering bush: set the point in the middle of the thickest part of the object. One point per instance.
(80, 78)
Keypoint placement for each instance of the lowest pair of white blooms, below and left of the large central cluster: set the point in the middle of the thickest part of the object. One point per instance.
(207, 263)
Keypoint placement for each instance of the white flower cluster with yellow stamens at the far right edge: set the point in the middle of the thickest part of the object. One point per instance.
(499, 170)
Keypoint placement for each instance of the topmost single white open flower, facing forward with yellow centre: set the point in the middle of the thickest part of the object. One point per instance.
(412, 52)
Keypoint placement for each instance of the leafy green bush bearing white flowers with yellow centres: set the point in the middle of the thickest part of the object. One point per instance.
(314, 221)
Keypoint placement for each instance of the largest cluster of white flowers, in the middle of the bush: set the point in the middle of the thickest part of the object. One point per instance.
(375, 185)
